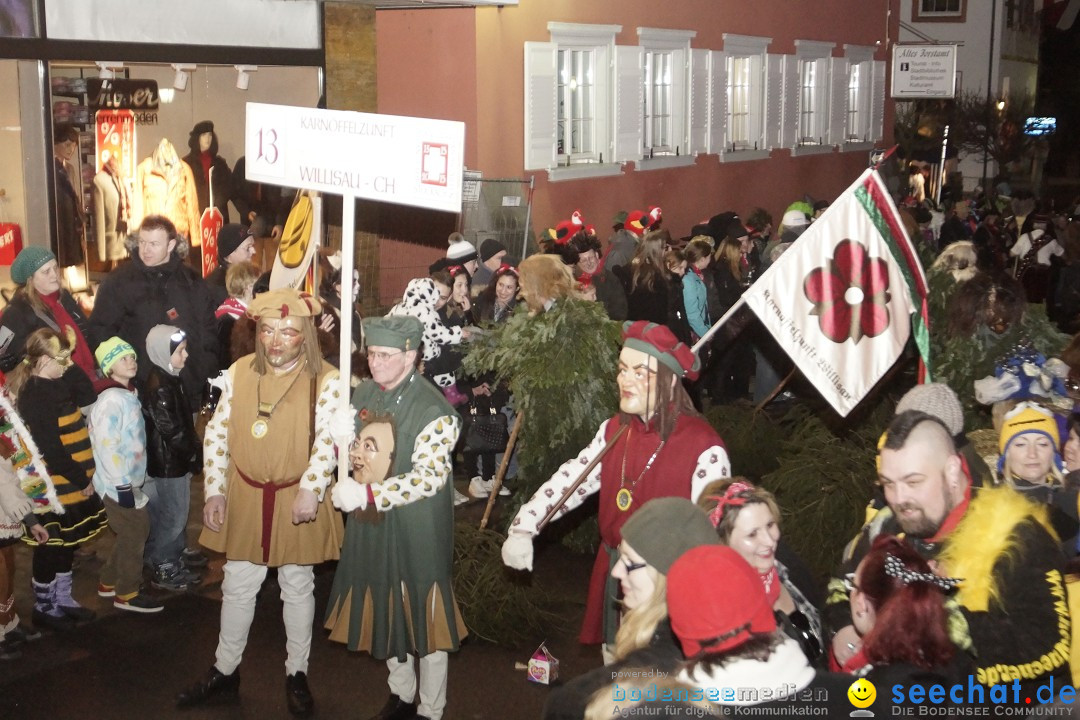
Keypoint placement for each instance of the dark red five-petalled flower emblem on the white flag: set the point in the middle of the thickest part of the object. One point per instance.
(850, 294)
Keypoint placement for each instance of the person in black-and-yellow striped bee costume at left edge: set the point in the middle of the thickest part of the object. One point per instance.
(49, 397)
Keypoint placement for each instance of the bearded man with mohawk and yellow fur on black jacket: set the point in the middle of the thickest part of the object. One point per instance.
(1010, 610)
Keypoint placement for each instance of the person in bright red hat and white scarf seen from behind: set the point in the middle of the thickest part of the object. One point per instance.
(736, 658)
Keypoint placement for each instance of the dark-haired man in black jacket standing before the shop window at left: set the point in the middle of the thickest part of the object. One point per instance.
(158, 289)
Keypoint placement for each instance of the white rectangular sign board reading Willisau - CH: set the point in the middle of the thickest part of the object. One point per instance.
(409, 161)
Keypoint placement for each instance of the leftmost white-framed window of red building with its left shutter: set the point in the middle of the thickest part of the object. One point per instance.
(569, 99)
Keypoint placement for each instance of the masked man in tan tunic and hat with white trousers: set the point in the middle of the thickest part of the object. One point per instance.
(269, 459)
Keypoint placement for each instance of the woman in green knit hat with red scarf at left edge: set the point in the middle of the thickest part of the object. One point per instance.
(42, 302)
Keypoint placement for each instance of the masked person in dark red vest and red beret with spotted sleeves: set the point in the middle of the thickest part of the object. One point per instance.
(666, 450)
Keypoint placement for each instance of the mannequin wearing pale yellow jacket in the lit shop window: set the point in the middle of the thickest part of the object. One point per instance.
(165, 186)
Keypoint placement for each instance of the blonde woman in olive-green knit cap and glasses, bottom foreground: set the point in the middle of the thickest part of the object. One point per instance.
(652, 541)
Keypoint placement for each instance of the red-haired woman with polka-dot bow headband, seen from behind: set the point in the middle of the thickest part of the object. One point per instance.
(898, 608)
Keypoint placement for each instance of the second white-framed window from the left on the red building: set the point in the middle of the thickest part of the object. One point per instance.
(666, 80)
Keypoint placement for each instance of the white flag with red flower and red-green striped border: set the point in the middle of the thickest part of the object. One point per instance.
(841, 301)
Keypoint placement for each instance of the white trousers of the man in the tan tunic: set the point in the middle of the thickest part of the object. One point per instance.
(242, 581)
